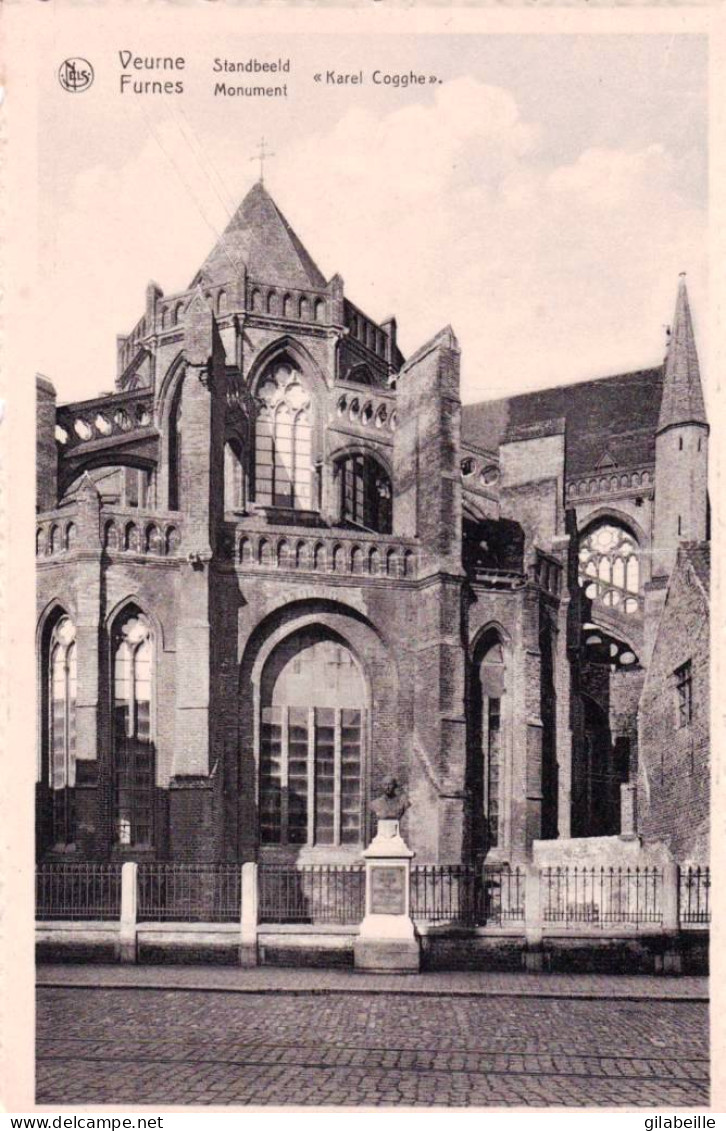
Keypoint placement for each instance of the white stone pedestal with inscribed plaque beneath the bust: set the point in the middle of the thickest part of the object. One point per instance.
(387, 942)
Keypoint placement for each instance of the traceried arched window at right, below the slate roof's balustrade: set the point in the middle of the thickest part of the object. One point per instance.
(610, 567)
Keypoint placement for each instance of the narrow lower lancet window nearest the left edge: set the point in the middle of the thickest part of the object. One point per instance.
(64, 674)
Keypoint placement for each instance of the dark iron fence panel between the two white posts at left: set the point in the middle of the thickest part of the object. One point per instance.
(189, 893)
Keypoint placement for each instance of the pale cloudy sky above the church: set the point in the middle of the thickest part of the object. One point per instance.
(542, 198)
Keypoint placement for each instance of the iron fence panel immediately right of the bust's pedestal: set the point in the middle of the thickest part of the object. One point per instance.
(466, 895)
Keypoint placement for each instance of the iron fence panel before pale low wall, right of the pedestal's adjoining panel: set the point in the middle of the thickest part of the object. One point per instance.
(602, 896)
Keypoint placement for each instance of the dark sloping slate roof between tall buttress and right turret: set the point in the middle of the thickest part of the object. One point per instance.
(612, 417)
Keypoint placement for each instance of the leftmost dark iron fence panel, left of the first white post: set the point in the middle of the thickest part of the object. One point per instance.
(79, 892)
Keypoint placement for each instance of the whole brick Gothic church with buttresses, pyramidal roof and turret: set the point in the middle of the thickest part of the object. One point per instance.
(282, 562)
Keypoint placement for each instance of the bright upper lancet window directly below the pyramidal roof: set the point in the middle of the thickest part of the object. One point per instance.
(283, 439)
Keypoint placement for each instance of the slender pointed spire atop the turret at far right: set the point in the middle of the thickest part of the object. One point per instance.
(682, 394)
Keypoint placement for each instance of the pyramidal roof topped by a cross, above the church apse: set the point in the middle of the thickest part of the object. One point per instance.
(260, 237)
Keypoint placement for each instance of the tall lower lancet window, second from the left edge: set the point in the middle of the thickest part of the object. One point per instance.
(134, 764)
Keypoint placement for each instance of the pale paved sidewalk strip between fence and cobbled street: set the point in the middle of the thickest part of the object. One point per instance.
(462, 983)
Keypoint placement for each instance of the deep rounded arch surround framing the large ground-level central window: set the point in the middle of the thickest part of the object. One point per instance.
(381, 679)
